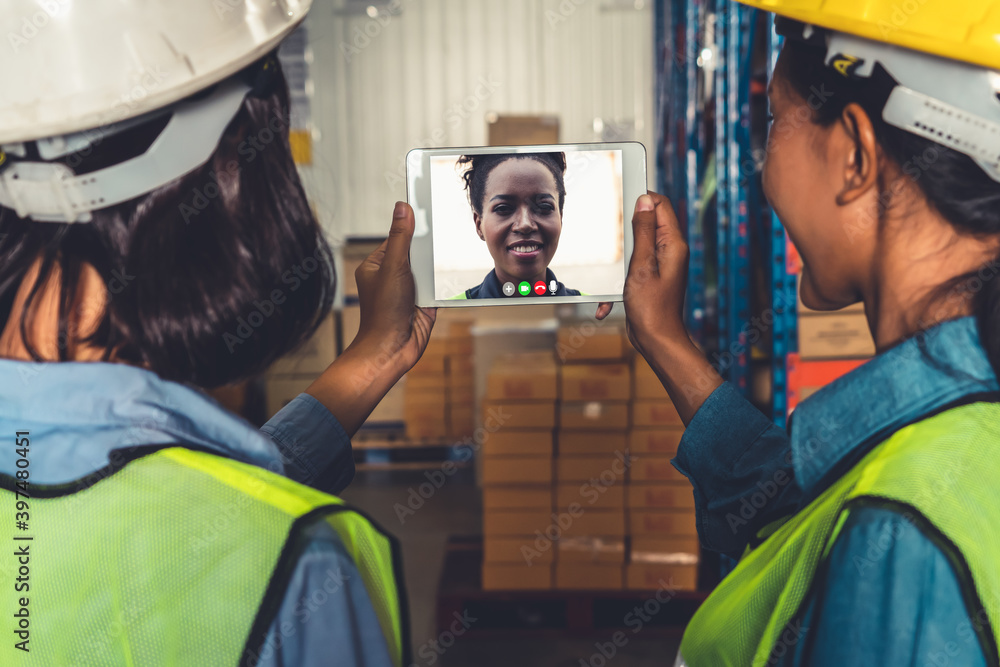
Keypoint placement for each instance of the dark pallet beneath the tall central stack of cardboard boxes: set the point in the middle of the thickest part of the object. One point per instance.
(547, 613)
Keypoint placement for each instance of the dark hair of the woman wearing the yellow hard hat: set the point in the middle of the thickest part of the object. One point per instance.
(953, 183)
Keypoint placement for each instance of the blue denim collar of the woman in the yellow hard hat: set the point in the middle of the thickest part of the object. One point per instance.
(841, 422)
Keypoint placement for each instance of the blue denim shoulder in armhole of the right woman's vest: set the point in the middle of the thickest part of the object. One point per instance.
(886, 594)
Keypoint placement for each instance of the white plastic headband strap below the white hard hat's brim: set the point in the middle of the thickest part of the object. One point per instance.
(51, 192)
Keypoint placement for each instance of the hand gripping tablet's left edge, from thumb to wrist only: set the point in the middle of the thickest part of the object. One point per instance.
(390, 322)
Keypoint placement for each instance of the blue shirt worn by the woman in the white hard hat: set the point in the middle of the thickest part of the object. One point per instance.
(78, 413)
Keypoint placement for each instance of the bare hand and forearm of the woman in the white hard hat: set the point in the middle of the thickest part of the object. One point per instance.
(394, 332)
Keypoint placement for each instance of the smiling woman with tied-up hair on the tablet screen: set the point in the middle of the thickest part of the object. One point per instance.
(517, 204)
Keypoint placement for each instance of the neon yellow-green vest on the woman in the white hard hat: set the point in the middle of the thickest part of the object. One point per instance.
(180, 557)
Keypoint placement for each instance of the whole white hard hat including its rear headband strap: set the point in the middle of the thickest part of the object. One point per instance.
(78, 74)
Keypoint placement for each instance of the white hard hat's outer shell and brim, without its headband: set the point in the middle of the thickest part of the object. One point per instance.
(71, 65)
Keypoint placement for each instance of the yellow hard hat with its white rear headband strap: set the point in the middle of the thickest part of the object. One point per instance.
(942, 62)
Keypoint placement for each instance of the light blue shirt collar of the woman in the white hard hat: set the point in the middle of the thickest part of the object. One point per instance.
(77, 413)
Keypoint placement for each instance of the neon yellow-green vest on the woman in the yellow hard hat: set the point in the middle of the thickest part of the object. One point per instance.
(943, 470)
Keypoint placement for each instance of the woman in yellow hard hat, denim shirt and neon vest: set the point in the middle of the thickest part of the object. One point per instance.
(867, 534)
